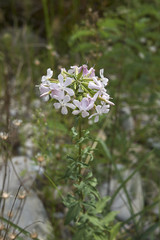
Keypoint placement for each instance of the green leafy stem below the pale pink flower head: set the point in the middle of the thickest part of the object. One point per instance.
(85, 207)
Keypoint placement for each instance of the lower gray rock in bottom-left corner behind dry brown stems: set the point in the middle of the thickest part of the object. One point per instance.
(32, 214)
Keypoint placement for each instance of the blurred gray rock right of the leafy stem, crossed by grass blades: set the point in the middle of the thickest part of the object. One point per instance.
(134, 192)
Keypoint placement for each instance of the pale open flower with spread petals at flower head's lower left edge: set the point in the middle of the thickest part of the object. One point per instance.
(64, 103)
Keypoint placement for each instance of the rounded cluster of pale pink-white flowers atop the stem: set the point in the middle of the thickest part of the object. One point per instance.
(78, 89)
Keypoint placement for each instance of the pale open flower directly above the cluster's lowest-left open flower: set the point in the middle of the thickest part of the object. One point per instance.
(63, 84)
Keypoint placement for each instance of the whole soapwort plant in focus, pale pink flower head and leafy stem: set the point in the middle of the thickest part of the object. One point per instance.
(84, 94)
